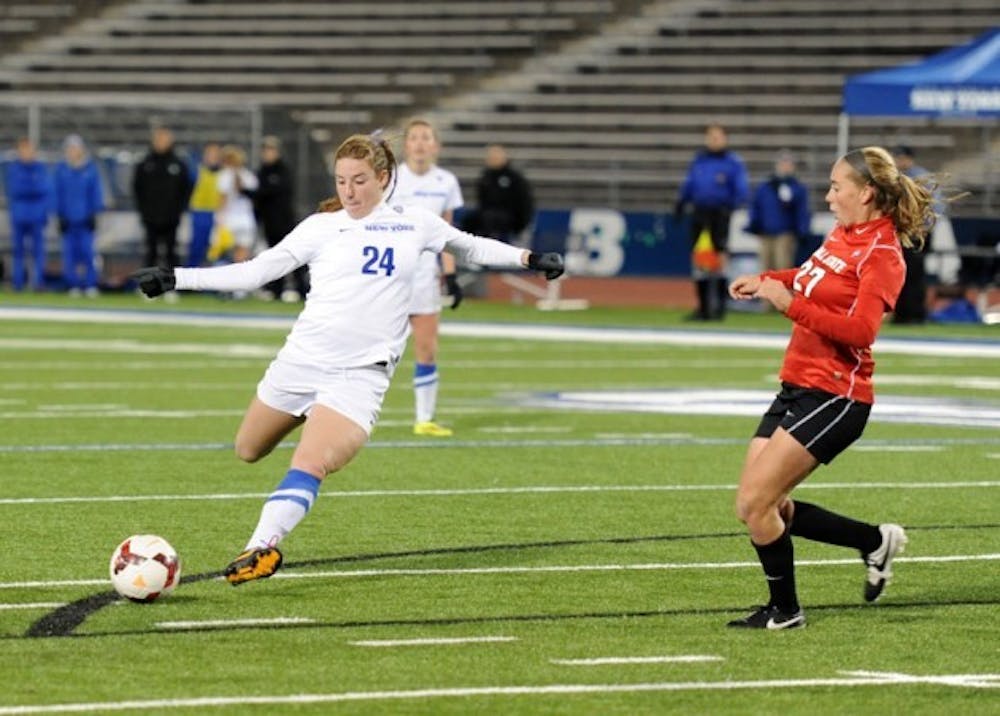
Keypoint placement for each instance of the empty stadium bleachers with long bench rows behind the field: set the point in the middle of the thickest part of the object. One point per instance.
(600, 102)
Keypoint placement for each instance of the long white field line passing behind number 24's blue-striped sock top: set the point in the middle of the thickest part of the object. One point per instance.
(527, 490)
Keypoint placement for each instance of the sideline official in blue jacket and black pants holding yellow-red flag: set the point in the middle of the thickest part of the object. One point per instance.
(715, 185)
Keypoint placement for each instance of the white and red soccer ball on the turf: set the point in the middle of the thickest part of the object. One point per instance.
(144, 567)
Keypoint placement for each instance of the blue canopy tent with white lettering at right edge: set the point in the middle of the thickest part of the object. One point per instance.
(963, 81)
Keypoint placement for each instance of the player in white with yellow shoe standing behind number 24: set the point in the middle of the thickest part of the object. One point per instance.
(420, 182)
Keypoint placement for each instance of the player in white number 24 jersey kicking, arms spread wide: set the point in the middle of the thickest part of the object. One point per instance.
(334, 369)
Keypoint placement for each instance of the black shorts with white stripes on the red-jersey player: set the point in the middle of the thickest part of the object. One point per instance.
(825, 424)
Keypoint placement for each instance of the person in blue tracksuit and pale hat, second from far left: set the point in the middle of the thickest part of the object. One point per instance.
(78, 200)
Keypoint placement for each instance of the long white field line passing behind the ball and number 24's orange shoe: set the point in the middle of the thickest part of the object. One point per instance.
(653, 566)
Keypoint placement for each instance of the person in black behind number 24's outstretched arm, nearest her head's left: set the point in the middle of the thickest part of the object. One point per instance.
(274, 207)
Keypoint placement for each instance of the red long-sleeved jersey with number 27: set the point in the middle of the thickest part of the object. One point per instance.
(840, 296)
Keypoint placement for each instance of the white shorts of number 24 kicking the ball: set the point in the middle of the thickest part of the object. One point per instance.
(356, 393)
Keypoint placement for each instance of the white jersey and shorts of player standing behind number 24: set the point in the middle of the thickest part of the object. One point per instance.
(438, 191)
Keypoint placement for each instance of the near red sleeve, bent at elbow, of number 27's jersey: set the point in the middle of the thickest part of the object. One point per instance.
(881, 279)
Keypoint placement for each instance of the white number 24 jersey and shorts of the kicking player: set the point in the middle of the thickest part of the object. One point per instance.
(352, 331)
